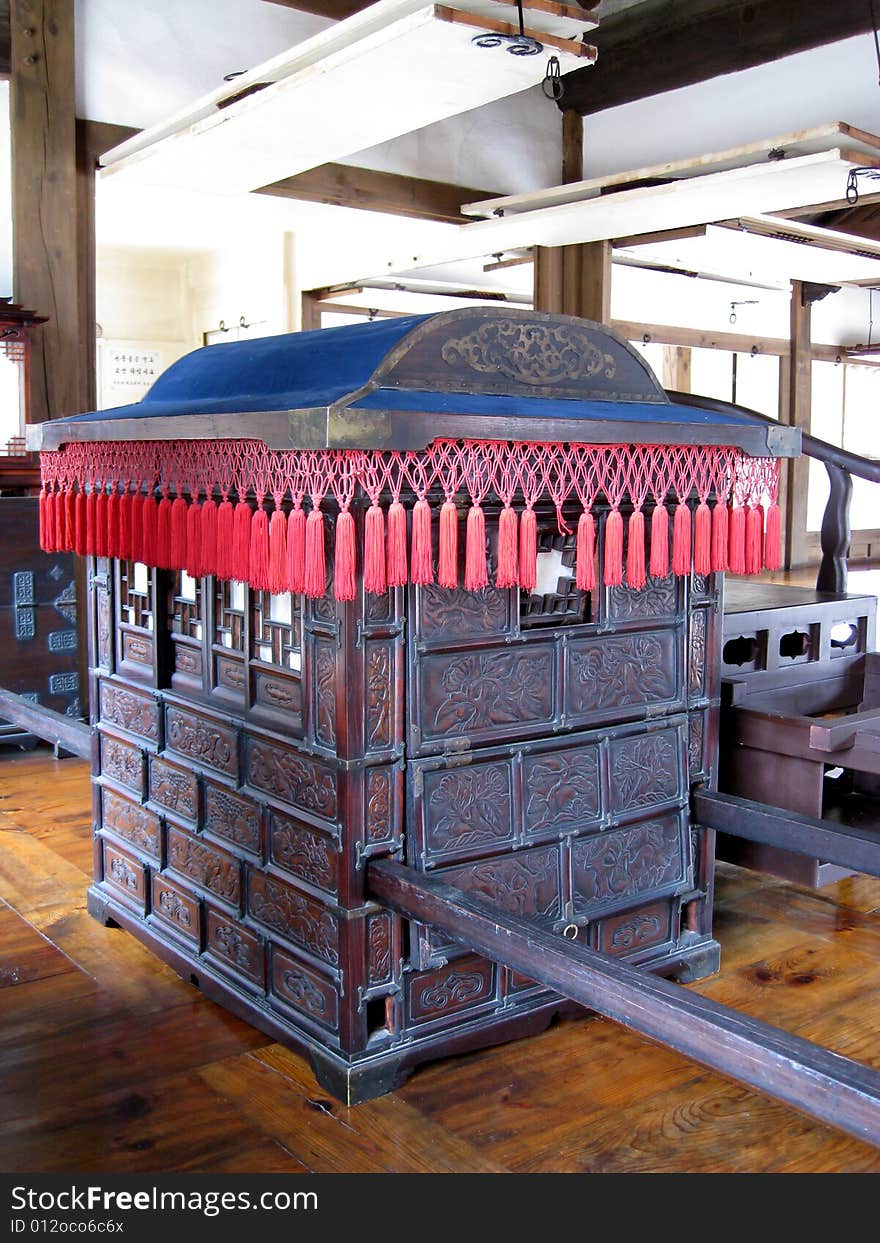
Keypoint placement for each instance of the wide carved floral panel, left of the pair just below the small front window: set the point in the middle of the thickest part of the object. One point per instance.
(488, 694)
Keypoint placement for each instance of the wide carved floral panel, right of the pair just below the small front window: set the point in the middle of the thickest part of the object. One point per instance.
(616, 673)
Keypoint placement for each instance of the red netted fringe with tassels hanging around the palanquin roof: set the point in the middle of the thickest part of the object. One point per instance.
(101, 500)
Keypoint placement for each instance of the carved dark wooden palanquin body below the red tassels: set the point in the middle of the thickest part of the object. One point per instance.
(253, 753)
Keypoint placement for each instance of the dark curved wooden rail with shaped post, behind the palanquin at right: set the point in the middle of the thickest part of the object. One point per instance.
(841, 466)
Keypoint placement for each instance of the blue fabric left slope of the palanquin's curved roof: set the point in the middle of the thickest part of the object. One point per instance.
(290, 372)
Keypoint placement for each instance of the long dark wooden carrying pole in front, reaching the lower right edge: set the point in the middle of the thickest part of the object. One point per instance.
(838, 1092)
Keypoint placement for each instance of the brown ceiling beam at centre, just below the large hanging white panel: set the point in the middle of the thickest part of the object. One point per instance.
(342, 186)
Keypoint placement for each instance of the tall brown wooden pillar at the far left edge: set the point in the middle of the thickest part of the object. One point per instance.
(45, 237)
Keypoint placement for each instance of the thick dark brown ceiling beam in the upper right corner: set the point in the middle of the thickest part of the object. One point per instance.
(661, 47)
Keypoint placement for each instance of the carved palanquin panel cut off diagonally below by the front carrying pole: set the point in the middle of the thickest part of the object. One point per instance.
(526, 883)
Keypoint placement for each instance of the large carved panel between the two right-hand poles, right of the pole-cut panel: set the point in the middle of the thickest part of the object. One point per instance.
(613, 867)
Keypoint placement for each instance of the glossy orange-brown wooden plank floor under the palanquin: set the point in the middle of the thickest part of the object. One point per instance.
(111, 1063)
